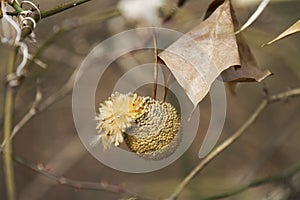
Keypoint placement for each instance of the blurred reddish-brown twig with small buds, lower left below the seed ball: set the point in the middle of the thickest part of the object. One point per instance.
(83, 185)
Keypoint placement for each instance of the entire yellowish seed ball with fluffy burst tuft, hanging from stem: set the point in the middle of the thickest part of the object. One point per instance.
(149, 127)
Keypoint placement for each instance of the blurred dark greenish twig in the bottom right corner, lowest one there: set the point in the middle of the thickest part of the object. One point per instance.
(282, 177)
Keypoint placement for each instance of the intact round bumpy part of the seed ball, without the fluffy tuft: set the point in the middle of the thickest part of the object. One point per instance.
(155, 133)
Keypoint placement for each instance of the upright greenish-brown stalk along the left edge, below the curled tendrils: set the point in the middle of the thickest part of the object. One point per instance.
(7, 128)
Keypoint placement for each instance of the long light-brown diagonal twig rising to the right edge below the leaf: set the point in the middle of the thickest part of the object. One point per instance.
(225, 144)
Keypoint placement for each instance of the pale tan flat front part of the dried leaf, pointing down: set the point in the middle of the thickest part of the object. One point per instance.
(199, 57)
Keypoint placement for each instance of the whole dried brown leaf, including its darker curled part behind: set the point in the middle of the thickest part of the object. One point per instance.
(209, 50)
